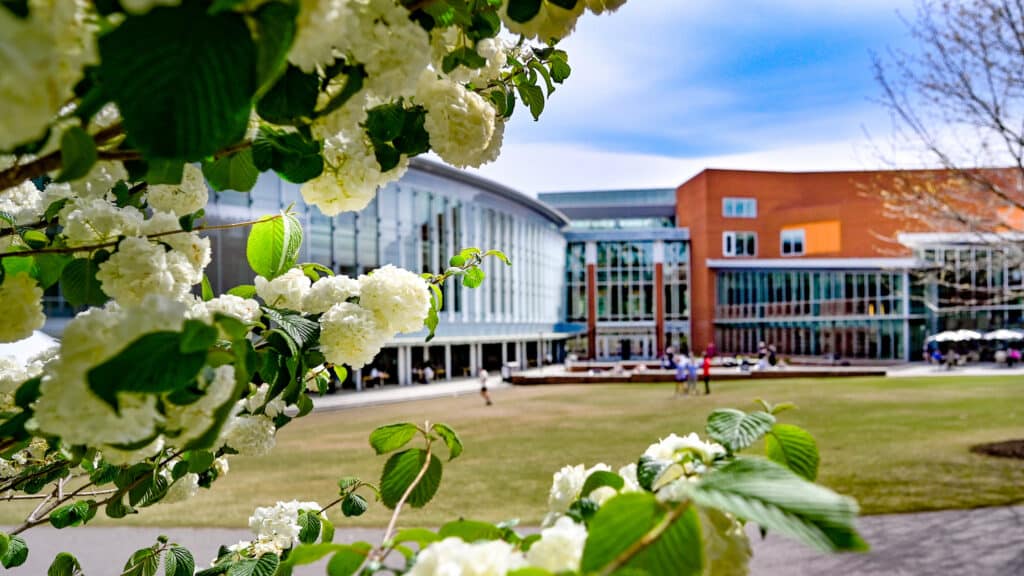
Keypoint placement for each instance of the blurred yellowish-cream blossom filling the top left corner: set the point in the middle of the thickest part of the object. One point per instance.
(42, 60)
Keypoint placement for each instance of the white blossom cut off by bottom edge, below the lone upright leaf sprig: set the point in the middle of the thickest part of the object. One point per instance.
(453, 557)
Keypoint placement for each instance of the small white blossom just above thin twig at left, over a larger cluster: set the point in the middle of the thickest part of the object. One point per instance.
(92, 221)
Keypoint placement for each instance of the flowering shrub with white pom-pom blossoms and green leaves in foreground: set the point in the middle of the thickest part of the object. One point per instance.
(118, 118)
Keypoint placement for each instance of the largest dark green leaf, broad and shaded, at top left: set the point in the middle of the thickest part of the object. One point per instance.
(183, 78)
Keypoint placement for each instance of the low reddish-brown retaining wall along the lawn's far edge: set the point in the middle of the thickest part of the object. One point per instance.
(652, 377)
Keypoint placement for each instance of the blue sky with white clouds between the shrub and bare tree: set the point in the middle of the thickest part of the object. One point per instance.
(664, 89)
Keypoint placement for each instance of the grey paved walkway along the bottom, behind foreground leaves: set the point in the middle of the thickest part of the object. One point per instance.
(980, 543)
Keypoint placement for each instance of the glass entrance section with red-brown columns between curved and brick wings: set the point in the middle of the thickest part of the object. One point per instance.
(627, 272)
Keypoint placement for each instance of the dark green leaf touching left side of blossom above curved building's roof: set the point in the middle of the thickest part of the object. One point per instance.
(292, 155)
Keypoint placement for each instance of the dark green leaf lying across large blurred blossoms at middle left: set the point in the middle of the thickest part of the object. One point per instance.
(153, 364)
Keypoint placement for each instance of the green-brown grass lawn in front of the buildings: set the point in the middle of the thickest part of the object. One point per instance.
(897, 445)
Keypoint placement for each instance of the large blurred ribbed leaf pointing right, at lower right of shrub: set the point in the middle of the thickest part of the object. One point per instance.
(764, 492)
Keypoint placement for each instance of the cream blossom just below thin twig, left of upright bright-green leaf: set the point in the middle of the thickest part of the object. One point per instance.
(141, 268)
